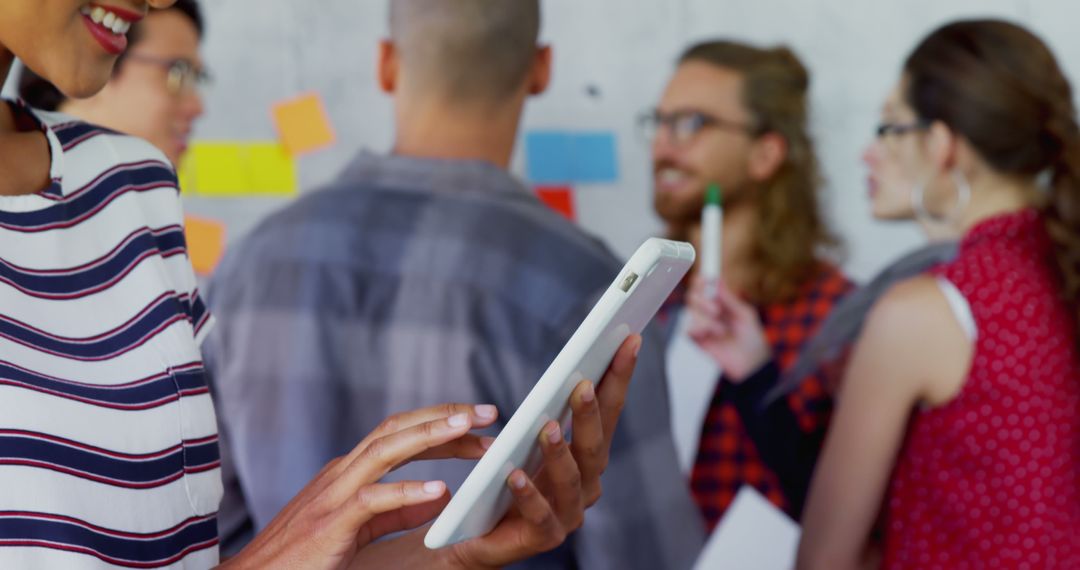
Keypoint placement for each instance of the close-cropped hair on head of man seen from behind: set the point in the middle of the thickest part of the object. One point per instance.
(466, 51)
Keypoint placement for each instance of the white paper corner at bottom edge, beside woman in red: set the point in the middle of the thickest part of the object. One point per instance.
(753, 535)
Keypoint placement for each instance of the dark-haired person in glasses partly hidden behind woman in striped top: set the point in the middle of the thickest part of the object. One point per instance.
(154, 91)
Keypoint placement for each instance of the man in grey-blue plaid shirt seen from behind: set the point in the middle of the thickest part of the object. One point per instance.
(431, 276)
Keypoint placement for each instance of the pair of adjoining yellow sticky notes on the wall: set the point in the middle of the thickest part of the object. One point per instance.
(215, 169)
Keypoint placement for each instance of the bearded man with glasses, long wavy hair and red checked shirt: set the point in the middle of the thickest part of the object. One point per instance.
(736, 116)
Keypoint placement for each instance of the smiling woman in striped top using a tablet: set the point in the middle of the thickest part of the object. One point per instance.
(109, 441)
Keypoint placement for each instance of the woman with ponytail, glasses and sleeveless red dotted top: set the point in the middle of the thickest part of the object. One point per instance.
(958, 424)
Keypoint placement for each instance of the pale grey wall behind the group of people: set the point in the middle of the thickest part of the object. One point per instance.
(612, 61)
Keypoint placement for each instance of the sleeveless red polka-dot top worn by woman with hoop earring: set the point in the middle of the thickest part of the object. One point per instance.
(992, 480)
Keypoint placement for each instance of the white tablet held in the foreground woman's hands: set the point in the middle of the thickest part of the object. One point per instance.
(631, 302)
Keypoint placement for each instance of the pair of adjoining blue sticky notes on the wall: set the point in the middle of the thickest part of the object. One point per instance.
(556, 158)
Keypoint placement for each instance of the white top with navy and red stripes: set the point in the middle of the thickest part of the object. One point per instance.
(109, 442)
